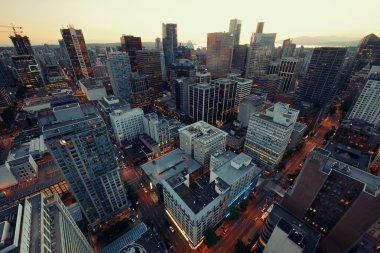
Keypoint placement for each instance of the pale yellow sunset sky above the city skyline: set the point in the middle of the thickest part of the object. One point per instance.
(105, 21)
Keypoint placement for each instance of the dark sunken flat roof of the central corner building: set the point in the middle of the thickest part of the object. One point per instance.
(198, 195)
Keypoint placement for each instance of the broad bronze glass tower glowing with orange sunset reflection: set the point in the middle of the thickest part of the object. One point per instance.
(219, 54)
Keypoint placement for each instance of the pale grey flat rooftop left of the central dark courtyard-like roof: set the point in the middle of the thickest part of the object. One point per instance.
(169, 165)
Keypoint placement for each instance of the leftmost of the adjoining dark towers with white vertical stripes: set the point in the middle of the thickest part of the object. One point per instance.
(203, 102)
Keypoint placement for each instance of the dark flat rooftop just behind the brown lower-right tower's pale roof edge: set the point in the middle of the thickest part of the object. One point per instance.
(349, 155)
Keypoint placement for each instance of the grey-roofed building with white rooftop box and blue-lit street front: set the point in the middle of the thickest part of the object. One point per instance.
(235, 171)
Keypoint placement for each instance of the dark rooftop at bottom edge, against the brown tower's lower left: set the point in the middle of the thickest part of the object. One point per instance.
(298, 231)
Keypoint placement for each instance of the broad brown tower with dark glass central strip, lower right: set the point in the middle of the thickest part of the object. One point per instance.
(336, 195)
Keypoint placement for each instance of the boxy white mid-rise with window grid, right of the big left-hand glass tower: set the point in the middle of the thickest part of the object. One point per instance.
(127, 124)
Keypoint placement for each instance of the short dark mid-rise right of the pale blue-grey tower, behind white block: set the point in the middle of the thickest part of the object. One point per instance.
(140, 91)
